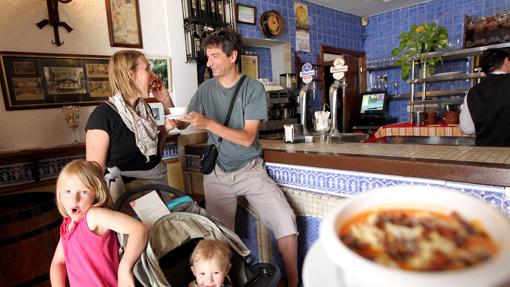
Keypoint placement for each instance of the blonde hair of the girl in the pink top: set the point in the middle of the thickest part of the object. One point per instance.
(90, 174)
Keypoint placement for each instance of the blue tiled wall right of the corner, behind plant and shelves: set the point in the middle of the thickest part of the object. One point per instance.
(383, 30)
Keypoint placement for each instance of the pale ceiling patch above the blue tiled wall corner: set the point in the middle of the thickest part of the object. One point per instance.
(366, 7)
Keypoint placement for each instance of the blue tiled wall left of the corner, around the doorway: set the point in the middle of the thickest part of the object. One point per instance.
(327, 27)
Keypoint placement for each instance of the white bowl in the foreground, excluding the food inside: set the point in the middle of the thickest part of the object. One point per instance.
(361, 272)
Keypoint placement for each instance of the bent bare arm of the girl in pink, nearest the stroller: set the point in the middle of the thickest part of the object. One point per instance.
(101, 220)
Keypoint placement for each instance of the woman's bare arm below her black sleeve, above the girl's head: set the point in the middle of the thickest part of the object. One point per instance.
(96, 147)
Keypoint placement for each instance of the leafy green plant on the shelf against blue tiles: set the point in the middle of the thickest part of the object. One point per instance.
(420, 39)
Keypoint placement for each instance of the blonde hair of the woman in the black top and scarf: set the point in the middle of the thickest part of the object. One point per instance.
(119, 66)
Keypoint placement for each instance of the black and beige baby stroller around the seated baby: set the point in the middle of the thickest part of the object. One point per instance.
(172, 238)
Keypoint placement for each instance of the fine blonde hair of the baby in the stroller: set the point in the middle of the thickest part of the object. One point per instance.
(211, 249)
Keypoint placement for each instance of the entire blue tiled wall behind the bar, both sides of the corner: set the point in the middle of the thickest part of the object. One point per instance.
(338, 29)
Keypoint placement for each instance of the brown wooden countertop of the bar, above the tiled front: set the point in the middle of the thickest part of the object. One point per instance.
(467, 164)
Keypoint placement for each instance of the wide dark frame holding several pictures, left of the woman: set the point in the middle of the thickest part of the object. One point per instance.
(34, 80)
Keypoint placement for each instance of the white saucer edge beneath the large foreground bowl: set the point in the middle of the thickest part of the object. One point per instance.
(319, 270)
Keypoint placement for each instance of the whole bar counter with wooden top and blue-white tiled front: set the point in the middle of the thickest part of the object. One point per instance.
(316, 177)
